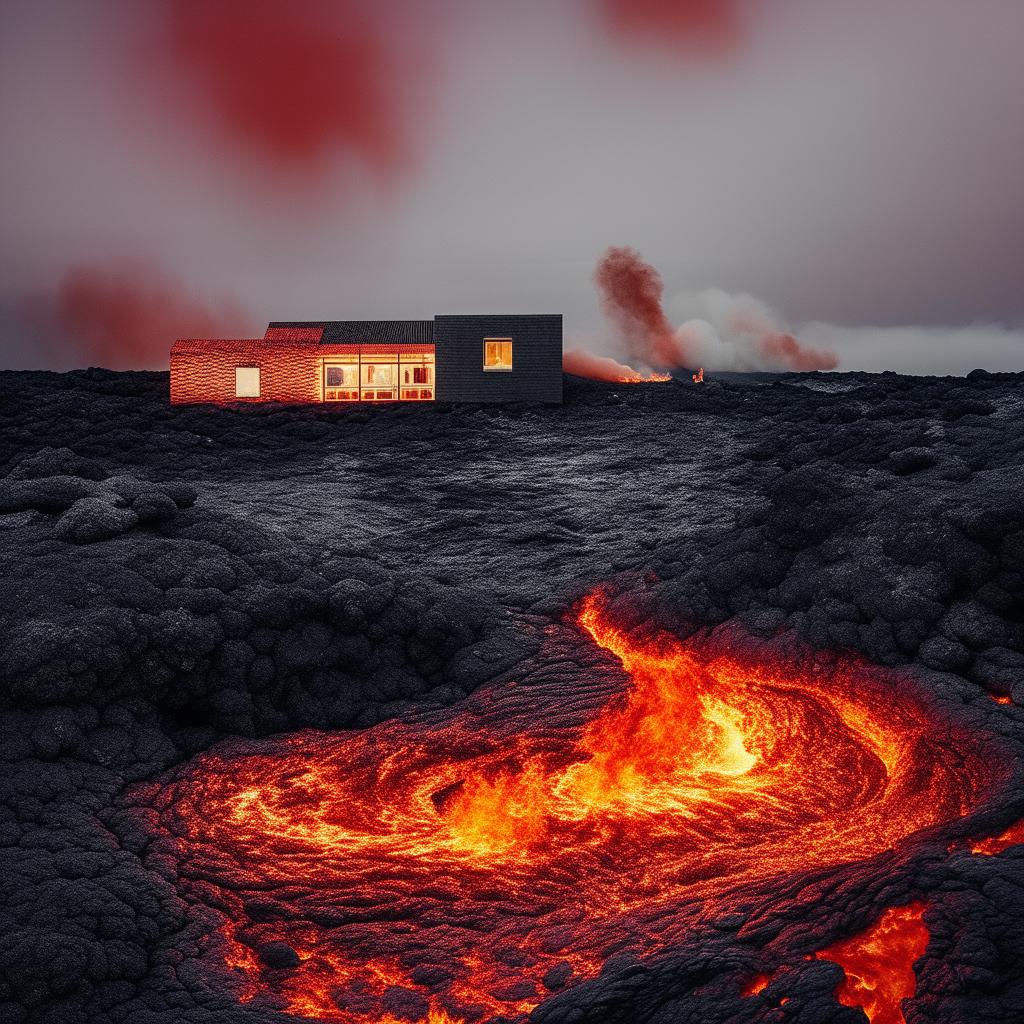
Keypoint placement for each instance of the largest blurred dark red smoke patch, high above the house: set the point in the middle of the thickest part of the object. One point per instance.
(291, 83)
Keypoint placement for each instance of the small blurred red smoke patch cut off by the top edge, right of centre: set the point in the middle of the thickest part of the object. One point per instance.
(708, 25)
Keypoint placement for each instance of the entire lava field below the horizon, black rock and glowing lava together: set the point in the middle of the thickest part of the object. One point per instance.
(684, 704)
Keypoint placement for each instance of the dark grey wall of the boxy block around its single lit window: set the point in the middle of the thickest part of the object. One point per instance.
(537, 359)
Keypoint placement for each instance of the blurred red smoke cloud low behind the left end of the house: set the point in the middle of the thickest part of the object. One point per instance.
(126, 317)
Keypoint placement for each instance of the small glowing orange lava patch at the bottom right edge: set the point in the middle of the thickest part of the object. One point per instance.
(879, 964)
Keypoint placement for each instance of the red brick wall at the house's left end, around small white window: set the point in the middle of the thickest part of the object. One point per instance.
(204, 371)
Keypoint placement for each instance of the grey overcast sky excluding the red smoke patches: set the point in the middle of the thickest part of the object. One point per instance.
(857, 163)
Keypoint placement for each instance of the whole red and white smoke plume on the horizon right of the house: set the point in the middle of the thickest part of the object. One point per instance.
(718, 331)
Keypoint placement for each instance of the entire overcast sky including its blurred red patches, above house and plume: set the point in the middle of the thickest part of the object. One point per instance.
(854, 164)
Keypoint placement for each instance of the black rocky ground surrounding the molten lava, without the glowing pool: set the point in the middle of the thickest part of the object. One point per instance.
(192, 584)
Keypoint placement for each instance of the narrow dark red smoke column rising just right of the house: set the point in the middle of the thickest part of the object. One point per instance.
(631, 296)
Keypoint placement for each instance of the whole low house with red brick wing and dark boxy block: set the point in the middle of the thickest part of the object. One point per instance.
(449, 359)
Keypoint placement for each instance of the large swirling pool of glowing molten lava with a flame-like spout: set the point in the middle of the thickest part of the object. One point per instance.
(466, 866)
